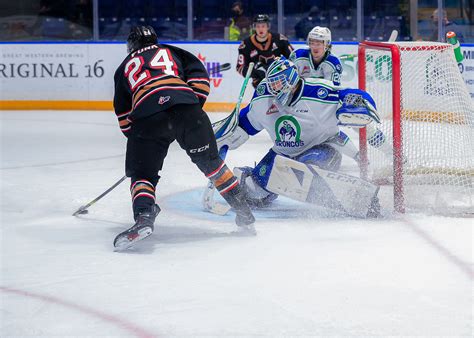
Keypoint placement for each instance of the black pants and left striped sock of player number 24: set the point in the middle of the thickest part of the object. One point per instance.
(148, 144)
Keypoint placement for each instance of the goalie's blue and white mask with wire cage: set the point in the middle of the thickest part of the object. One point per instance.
(282, 77)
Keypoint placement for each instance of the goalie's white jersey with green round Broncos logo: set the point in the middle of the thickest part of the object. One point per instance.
(309, 120)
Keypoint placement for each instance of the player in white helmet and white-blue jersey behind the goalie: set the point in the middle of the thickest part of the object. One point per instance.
(318, 61)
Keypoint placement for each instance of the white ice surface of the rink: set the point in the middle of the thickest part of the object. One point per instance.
(306, 273)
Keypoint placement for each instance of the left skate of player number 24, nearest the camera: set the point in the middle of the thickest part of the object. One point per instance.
(144, 226)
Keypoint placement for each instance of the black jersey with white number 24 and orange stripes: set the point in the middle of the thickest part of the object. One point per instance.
(155, 78)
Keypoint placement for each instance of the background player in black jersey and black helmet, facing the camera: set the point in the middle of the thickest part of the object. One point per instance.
(261, 48)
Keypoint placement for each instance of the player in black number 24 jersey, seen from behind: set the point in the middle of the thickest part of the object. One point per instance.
(159, 94)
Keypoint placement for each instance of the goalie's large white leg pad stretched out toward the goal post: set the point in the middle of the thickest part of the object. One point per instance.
(308, 183)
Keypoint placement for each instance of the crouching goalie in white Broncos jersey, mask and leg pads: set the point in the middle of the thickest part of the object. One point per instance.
(302, 118)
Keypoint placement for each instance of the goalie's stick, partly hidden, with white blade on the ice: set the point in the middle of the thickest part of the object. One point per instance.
(223, 129)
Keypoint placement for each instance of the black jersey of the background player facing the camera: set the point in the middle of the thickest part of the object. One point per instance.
(262, 54)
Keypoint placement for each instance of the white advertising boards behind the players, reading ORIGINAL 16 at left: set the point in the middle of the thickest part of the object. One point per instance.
(83, 72)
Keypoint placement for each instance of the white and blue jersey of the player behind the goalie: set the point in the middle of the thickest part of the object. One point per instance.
(330, 68)
